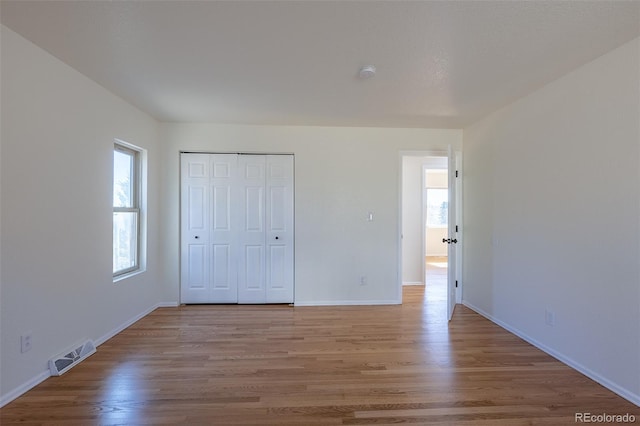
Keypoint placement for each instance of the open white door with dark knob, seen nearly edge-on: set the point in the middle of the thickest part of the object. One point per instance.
(452, 236)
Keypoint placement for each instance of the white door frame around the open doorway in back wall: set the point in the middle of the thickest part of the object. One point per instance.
(459, 210)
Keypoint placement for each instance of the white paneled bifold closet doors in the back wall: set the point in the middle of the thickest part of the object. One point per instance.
(237, 228)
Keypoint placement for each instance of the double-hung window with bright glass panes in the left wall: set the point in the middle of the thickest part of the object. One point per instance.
(126, 210)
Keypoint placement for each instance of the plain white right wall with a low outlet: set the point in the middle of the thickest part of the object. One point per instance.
(552, 213)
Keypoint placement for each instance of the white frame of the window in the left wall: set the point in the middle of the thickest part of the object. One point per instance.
(137, 197)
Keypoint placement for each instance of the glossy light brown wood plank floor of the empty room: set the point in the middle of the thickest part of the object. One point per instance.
(277, 365)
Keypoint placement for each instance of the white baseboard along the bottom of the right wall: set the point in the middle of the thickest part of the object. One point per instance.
(613, 387)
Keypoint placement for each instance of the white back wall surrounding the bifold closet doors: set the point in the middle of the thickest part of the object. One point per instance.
(340, 175)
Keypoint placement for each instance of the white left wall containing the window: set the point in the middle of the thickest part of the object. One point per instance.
(58, 129)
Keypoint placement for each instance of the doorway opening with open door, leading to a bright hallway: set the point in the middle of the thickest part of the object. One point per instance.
(431, 239)
